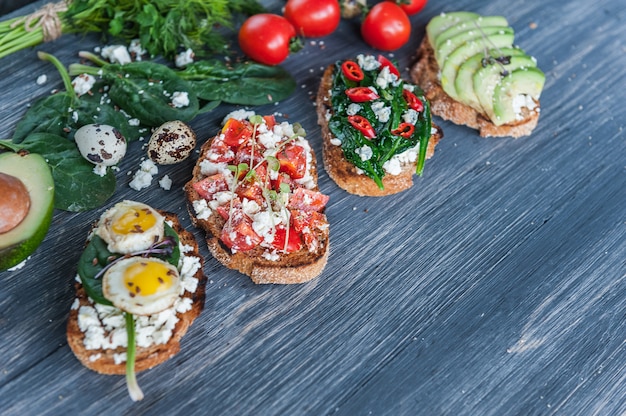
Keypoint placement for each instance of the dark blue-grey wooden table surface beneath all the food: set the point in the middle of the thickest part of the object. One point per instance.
(495, 286)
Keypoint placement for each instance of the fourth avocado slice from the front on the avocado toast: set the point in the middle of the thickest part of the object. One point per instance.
(502, 38)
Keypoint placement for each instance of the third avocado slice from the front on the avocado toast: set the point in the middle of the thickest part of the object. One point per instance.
(464, 84)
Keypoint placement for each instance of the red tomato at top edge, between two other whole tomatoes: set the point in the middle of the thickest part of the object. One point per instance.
(313, 18)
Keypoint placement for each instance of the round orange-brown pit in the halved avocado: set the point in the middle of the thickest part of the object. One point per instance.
(15, 202)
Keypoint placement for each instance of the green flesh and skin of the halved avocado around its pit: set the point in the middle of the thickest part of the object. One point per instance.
(33, 171)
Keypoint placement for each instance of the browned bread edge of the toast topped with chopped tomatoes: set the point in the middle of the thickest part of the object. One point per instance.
(297, 267)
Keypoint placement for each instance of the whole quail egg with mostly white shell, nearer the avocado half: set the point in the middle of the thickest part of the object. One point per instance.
(100, 144)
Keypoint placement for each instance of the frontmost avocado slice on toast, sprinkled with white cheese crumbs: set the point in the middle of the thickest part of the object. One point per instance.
(521, 88)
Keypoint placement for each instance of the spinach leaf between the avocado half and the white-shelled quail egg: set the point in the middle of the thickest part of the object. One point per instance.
(77, 188)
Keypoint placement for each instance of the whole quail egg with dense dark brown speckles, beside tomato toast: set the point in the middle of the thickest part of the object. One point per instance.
(172, 142)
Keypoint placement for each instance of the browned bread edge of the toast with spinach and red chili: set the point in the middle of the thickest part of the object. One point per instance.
(344, 172)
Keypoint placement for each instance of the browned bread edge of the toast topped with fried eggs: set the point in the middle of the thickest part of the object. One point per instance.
(145, 358)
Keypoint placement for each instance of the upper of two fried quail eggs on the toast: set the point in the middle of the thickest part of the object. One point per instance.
(130, 227)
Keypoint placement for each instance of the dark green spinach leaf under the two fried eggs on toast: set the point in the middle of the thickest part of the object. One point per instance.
(97, 256)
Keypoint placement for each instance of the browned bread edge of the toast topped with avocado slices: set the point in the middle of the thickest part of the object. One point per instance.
(425, 73)
